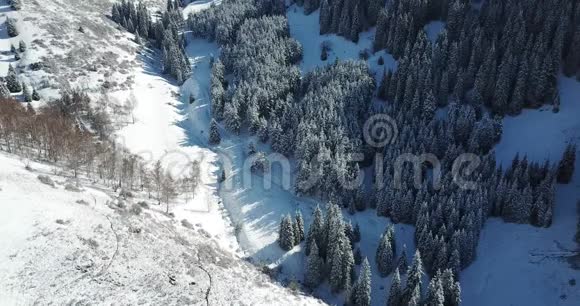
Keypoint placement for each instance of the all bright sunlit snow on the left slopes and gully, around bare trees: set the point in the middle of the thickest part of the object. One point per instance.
(59, 251)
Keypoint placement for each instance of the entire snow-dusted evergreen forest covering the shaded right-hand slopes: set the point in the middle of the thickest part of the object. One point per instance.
(318, 119)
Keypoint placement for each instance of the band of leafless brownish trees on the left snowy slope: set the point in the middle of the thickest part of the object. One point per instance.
(69, 133)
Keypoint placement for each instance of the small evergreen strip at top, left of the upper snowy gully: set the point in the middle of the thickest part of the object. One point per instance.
(165, 32)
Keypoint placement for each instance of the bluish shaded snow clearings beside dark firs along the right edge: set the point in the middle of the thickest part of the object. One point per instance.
(521, 264)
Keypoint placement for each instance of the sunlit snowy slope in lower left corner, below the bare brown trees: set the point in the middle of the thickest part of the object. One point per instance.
(59, 250)
